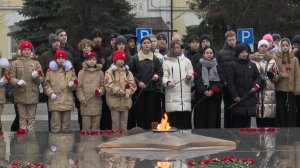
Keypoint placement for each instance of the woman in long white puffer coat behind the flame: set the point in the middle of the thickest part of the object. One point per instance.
(178, 79)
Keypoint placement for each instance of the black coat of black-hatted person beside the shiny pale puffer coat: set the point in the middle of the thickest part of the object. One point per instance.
(242, 76)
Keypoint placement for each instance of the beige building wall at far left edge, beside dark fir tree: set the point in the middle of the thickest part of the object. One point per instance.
(7, 8)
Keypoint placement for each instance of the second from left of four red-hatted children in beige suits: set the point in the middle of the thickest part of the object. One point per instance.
(58, 86)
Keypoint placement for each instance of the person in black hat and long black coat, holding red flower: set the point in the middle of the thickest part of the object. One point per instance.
(243, 80)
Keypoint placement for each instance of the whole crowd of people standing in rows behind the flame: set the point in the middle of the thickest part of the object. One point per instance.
(119, 87)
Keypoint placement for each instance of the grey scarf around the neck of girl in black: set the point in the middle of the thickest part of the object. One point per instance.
(209, 71)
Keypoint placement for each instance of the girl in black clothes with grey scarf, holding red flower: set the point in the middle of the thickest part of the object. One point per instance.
(208, 85)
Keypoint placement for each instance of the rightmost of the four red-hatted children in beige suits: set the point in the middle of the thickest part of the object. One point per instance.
(120, 86)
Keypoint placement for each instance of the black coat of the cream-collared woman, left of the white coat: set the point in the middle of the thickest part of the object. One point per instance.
(144, 70)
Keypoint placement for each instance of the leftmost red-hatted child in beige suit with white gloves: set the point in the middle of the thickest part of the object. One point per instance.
(26, 75)
